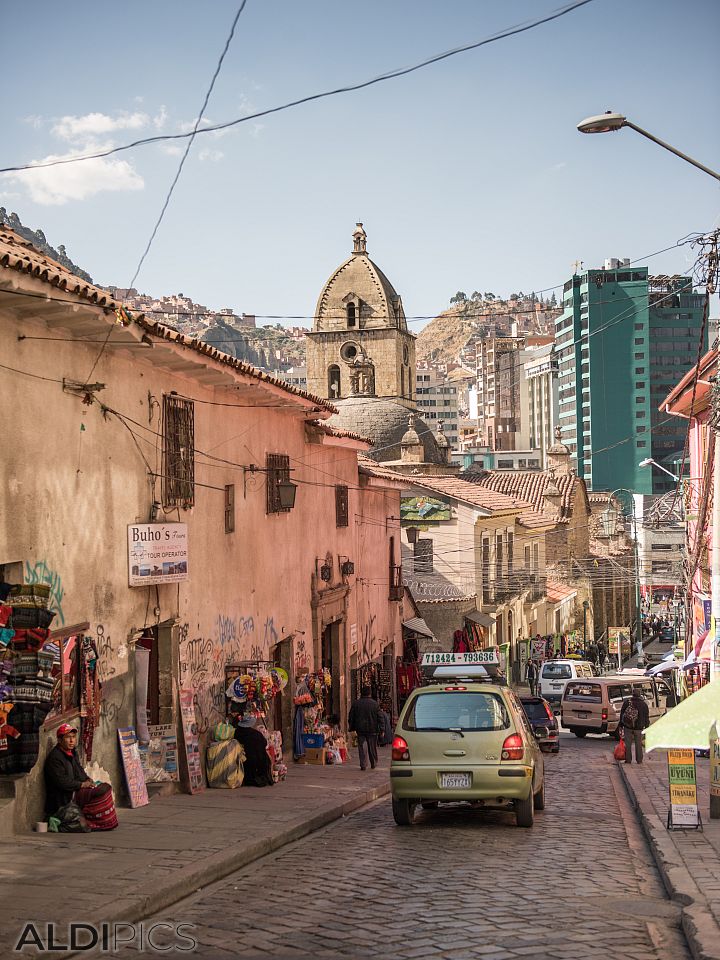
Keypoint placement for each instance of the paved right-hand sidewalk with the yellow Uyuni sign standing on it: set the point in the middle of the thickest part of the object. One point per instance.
(688, 860)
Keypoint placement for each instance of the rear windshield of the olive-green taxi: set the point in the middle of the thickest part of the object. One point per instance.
(466, 711)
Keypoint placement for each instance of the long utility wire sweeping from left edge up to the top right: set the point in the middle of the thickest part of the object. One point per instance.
(391, 75)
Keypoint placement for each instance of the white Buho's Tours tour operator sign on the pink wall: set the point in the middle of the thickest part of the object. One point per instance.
(157, 553)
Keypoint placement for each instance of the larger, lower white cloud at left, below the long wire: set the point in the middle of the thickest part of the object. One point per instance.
(54, 186)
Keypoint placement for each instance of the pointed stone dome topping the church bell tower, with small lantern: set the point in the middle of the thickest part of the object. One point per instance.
(358, 285)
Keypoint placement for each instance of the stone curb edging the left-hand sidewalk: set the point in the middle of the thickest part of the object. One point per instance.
(190, 879)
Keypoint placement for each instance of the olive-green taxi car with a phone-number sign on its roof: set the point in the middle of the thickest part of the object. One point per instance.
(464, 739)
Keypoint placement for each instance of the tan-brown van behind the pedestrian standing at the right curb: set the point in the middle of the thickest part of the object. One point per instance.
(594, 706)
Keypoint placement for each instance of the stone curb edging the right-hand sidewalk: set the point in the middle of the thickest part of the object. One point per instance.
(698, 924)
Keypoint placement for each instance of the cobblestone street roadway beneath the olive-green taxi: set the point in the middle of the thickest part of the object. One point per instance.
(459, 883)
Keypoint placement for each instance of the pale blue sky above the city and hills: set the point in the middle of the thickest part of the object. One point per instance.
(468, 175)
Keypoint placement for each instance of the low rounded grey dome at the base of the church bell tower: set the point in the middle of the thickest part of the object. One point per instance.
(385, 423)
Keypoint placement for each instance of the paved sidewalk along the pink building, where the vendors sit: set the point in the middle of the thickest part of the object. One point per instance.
(170, 848)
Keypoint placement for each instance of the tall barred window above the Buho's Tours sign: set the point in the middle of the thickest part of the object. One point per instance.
(178, 480)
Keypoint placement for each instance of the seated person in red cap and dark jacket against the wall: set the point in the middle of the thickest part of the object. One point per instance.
(65, 780)
